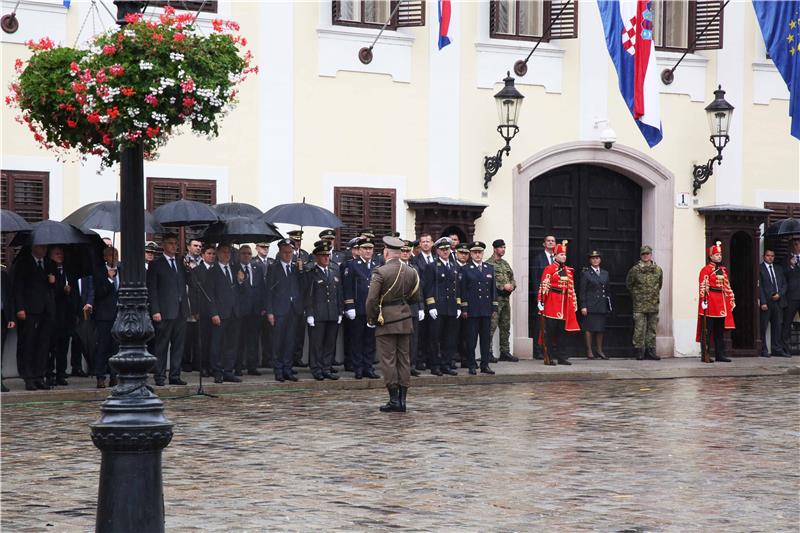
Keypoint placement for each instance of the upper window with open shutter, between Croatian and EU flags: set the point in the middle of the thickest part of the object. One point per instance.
(678, 23)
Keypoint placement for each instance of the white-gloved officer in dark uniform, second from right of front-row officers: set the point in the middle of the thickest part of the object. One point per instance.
(440, 287)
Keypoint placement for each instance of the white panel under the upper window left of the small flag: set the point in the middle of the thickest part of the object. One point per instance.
(339, 46)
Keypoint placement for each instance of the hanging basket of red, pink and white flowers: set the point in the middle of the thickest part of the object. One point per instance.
(135, 84)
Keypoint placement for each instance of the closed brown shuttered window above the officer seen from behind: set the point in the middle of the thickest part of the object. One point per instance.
(359, 208)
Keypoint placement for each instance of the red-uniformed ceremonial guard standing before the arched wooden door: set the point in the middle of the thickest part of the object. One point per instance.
(557, 304)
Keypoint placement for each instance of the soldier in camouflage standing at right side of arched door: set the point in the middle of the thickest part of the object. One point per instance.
(644, 284)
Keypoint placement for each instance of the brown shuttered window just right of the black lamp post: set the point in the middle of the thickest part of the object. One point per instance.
(164, 190)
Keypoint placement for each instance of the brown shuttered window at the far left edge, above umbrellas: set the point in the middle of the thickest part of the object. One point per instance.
(25, 193)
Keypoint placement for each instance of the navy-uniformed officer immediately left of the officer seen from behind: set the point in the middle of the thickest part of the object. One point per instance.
(356, 277)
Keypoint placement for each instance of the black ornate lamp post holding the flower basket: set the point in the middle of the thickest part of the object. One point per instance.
(132, 429)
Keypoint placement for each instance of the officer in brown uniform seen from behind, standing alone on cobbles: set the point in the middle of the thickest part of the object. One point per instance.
(392, 287)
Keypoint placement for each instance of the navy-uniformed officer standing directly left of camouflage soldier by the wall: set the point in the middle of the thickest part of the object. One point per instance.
(478, 304)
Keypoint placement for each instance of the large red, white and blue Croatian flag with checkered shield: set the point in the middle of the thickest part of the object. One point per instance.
(628, 27)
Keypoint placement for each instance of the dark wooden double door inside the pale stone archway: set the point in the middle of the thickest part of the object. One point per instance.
(594, 208)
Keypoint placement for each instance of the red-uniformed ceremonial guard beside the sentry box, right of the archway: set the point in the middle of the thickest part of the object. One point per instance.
(715, 306)
